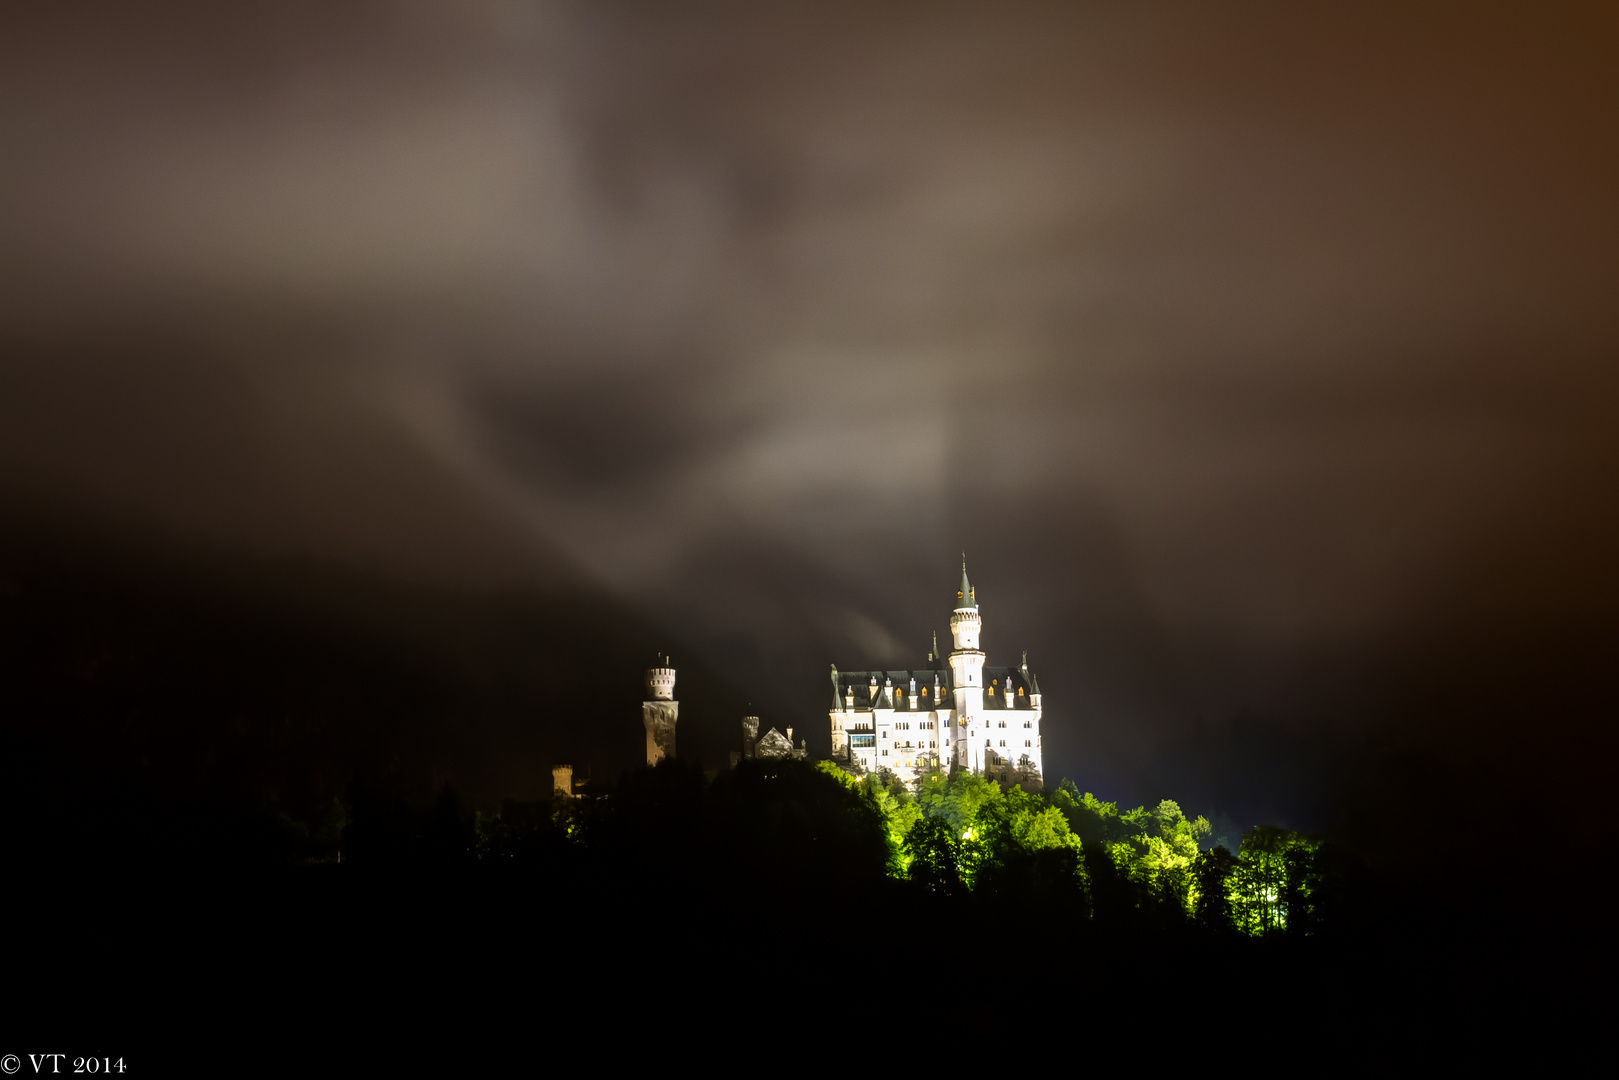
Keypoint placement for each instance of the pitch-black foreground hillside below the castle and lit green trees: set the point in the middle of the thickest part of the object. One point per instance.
(749, 917)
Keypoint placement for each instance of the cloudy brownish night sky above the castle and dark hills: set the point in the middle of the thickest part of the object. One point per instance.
(1262, 359)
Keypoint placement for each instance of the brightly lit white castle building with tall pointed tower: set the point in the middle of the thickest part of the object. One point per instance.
(953, 715)
